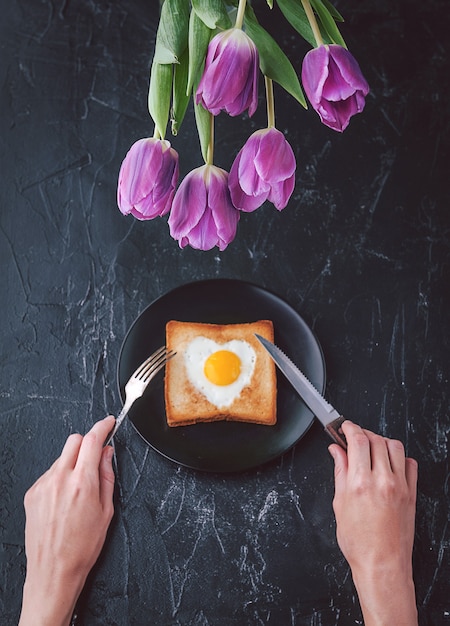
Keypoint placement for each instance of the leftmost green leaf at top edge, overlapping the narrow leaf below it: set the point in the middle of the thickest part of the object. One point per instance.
(172, 34)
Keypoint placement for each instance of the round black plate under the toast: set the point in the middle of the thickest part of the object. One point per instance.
(221, 446)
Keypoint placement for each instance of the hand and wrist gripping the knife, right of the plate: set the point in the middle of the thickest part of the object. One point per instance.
(374, 504)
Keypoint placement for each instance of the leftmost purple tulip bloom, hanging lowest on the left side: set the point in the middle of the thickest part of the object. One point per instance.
(147, 179)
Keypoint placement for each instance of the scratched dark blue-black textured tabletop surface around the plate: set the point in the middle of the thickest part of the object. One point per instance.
(362, 253)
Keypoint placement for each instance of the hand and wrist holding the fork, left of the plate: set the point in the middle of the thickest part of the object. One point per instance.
(68, 512)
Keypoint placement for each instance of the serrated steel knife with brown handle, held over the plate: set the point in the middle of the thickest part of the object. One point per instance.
(330, 418)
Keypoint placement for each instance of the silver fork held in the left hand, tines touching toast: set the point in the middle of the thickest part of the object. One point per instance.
(138, 382)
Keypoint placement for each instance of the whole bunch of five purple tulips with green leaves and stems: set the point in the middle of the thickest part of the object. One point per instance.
(214, 51)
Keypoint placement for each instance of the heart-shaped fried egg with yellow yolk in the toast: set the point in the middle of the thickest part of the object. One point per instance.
(219, 372)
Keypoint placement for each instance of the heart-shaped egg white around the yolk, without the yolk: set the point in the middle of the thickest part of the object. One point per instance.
(195, 355)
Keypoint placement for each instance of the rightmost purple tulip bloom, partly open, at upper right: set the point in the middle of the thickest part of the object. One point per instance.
(334, 84)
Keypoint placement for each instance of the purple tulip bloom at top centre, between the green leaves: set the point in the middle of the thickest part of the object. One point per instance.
(230, 78)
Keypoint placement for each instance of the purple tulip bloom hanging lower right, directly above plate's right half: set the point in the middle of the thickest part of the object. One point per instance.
(263, 170)
